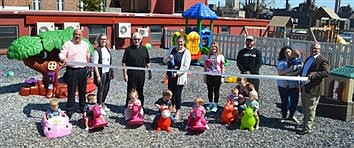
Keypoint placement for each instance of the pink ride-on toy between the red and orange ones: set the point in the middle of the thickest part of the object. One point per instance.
(196, 121)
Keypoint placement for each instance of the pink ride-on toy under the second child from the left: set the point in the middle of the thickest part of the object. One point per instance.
(97, 121)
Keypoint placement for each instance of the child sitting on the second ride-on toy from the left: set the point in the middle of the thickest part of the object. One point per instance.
(88, 112)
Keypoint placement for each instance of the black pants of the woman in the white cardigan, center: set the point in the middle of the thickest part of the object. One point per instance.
(176, 90)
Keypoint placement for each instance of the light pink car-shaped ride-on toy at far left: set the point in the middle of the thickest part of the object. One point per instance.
(56, 126)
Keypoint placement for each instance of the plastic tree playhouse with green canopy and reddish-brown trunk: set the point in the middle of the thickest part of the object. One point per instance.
(41, 54)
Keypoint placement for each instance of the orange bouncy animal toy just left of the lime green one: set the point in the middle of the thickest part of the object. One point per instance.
(228, 115)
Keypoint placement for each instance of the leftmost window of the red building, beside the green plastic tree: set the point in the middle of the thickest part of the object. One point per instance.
(7, 35)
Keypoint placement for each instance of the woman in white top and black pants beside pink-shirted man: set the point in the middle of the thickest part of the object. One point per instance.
(102, 75)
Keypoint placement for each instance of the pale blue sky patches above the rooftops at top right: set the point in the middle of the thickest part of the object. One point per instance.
(295, 3)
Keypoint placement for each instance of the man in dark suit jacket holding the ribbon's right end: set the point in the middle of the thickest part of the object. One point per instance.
(316, 68)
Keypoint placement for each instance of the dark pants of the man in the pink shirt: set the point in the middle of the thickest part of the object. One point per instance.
(76, 78)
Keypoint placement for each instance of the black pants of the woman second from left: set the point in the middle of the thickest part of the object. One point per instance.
(103, 88)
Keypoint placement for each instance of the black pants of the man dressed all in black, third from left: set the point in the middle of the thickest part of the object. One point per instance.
(136, 80)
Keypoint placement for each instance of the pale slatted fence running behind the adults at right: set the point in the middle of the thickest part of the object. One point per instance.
(338, 54)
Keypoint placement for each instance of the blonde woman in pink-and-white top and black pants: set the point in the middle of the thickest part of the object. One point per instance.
(214, 64)
